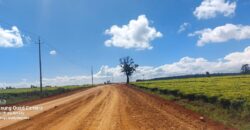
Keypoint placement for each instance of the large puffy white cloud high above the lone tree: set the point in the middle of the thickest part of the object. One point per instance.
(137, 34)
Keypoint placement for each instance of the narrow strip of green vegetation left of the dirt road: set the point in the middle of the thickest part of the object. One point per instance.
(17, 95)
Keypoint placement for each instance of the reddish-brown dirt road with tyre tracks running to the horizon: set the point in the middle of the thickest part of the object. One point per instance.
(113, 107)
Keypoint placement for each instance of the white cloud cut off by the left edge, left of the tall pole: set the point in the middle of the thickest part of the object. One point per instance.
(10, 38)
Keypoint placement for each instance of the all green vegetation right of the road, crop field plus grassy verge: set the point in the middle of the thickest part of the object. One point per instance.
(225, 98)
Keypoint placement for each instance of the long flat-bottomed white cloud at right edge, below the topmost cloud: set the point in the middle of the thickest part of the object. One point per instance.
(222, 34)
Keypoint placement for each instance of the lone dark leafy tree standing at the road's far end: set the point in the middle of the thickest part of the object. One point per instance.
(128, 66)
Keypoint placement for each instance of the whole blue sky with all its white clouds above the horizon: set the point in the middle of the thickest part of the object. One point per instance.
(165, 37)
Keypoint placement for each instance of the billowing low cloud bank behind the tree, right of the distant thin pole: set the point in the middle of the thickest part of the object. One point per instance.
(231, 63)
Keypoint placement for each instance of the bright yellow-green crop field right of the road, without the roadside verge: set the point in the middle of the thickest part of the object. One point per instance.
(230, 91)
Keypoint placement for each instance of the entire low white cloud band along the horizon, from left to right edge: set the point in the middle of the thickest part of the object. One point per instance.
(231, 63)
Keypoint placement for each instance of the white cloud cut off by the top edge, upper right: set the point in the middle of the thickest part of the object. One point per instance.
(212, 8)
